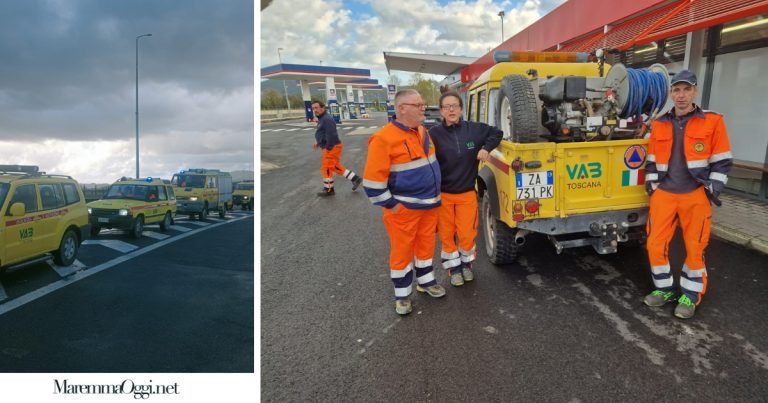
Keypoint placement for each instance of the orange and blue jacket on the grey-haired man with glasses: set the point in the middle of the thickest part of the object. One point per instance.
(401, 169)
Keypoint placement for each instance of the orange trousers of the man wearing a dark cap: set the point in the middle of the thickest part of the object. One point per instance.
(694, 214)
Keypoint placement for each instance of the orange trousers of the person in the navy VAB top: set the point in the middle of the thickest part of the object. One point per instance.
(457, 219)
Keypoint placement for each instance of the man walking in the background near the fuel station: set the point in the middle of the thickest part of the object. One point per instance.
(327, 139)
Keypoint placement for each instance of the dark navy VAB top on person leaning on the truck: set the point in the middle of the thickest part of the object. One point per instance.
(457, 147)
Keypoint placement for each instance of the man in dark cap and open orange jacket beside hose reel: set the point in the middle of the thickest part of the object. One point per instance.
(689, 158)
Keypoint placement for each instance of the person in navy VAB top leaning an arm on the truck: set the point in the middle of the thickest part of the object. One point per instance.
(460, 146)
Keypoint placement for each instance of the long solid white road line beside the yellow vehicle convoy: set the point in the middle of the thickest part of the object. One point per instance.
(43, 291)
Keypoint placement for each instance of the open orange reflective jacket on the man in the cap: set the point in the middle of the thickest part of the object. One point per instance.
(707, 151)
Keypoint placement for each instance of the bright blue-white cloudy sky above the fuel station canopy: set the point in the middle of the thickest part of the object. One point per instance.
(355, 33)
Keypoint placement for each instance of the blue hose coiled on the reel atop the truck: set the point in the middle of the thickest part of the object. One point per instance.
(643, 84)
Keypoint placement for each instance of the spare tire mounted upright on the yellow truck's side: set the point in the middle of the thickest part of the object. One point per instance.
(517, 111)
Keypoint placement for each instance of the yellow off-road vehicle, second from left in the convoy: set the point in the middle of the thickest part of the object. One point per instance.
(129, 204)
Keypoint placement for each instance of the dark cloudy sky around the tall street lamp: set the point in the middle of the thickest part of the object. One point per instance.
(67, 86)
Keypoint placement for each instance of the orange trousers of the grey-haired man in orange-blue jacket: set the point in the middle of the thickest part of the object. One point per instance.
(412, 245)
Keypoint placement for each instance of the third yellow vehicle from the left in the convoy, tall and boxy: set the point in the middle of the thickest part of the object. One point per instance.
(200, 191)
